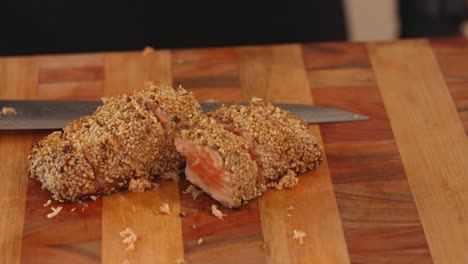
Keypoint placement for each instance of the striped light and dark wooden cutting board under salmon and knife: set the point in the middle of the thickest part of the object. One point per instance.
(391, 190)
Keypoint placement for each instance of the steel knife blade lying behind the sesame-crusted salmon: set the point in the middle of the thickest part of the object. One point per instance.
(32, 114)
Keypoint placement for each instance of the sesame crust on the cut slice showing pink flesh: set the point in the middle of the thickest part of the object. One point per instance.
(234, 152)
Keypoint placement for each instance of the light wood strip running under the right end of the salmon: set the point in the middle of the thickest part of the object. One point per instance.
(277, 74)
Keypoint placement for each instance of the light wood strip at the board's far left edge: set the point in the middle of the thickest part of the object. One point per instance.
(17, 81)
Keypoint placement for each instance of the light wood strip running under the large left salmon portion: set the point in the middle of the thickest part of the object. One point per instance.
(160, 236)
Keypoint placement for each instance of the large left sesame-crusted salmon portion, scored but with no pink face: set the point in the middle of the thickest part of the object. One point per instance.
(122, 140)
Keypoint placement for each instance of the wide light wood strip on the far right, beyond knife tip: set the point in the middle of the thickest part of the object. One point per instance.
(431, 140)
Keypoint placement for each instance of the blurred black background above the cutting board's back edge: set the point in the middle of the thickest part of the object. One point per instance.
(52, 26)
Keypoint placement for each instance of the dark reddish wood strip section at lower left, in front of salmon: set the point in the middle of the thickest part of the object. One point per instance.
(71, 235)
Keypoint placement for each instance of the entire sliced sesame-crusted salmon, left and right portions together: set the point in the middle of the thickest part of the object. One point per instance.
(234, 153)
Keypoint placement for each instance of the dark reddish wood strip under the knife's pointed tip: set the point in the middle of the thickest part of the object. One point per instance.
(380, 220)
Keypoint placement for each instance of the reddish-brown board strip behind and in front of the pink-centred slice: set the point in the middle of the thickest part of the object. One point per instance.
(240, 234)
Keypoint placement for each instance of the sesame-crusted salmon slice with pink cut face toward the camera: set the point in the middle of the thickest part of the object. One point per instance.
(219, 162)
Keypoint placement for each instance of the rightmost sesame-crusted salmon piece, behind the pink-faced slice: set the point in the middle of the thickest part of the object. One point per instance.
(280, 143)
